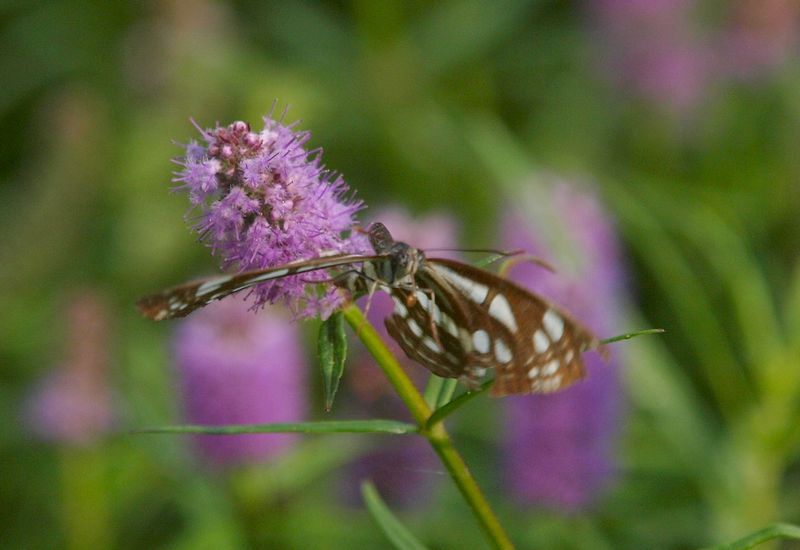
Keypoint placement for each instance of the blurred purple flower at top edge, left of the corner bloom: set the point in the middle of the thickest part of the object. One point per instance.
(653, 50)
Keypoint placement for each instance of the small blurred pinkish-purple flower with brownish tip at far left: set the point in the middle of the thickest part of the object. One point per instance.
(73, 404)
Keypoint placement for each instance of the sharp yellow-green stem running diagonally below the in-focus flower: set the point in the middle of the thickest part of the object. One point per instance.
(436, 435)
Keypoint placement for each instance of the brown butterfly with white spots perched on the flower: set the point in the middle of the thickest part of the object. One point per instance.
(457, 320)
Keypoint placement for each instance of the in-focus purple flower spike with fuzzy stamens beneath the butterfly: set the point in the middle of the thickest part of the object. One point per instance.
(264, 200)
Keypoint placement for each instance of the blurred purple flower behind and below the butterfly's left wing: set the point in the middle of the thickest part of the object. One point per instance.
(238, 368)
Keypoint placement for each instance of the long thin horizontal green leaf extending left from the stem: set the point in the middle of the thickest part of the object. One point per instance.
(328, 426)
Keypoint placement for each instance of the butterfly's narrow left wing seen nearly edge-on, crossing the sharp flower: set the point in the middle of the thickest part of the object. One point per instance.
(180, 301)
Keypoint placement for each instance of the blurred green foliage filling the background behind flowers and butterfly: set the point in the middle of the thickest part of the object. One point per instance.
(432, 106)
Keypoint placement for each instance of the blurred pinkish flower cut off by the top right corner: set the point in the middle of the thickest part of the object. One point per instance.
(763, 34)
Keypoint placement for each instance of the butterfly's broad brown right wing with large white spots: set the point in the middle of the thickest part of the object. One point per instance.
(533, 345)
